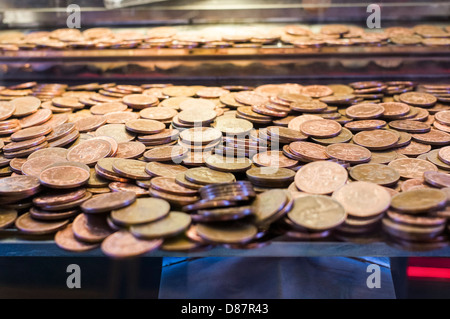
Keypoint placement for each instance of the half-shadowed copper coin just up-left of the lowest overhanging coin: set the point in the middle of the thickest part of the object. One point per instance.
(91, 228)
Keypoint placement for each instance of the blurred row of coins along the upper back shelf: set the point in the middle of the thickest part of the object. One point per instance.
(222, 37)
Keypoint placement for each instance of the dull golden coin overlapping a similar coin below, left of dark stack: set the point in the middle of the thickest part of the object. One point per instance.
(142, 211)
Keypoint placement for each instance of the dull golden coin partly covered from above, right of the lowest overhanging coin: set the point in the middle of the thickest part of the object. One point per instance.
(171, 225)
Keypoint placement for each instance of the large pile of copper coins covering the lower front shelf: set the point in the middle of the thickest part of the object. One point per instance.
(133, 168)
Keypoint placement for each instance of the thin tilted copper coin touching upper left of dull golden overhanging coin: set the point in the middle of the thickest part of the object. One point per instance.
(107, 202)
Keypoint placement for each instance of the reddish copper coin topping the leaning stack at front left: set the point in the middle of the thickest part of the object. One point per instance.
(63, 177)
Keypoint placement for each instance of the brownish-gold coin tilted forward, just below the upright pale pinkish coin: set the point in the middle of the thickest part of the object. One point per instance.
(317, 212)
